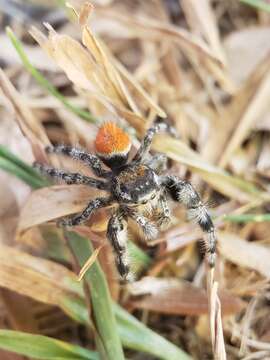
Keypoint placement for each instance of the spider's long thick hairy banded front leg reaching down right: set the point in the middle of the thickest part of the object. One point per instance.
(183, 192)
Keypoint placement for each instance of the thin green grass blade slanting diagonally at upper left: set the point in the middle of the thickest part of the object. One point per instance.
(44, 82)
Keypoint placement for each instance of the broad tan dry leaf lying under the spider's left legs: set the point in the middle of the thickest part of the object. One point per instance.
(51, 203)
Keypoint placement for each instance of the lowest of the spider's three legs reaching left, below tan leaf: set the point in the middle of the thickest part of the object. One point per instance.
(86, 213)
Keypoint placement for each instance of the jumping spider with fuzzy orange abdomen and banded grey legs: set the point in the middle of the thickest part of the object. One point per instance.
(137, 187)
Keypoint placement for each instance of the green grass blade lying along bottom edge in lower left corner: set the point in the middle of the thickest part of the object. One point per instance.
(43, 347)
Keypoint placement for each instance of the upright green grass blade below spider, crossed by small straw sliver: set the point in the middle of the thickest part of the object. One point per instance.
(100, 298)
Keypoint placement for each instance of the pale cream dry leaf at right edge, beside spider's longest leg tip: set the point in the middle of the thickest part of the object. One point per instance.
(243, 253)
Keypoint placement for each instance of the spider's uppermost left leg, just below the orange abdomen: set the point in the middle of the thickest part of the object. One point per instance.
(90, 160)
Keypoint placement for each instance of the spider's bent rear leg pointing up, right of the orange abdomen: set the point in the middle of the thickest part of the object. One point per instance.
(147, 140)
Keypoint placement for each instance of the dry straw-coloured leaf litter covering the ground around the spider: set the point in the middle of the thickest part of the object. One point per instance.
(207, 69)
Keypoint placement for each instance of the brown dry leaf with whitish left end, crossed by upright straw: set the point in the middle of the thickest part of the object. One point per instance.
(171, 296)
